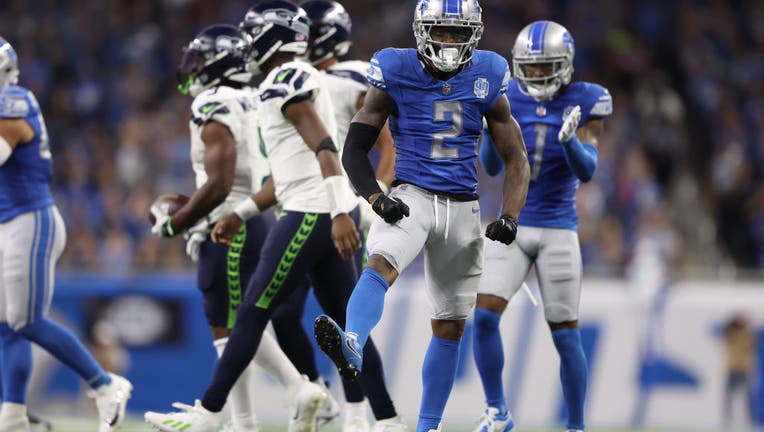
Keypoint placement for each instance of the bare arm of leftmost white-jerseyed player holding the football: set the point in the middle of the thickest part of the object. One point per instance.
(220, 165)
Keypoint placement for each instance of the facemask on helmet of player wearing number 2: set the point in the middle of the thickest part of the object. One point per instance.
(447, 44)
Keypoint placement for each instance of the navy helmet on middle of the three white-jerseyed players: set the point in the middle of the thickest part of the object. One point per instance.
(273, 26)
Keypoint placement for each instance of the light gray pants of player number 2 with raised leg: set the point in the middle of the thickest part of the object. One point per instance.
(451, 235)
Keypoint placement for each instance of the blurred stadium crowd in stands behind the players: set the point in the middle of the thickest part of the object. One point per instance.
(681, 163)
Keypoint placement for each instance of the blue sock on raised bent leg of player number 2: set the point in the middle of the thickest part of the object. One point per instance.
(366, 304)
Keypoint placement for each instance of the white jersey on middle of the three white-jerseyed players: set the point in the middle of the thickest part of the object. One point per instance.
(295, 169)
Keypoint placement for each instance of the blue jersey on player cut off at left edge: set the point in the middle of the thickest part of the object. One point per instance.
(24, 177)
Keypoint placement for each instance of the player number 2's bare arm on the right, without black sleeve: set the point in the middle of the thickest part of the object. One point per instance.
(510, 145)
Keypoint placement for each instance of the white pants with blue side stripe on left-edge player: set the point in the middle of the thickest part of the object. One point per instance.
(30, 245)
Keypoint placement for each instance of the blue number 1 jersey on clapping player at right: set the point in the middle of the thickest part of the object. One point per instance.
(551, 201)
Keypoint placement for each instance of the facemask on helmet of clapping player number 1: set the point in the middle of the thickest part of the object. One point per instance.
(556, 72)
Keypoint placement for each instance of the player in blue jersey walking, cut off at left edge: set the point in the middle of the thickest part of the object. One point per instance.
(32, 237)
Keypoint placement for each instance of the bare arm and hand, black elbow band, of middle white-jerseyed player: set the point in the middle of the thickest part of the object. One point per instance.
(305, 119)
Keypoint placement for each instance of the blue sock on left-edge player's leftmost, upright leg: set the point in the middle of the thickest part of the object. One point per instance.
(16, 358)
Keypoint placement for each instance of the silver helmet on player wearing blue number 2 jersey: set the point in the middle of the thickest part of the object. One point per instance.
(462, 17)
